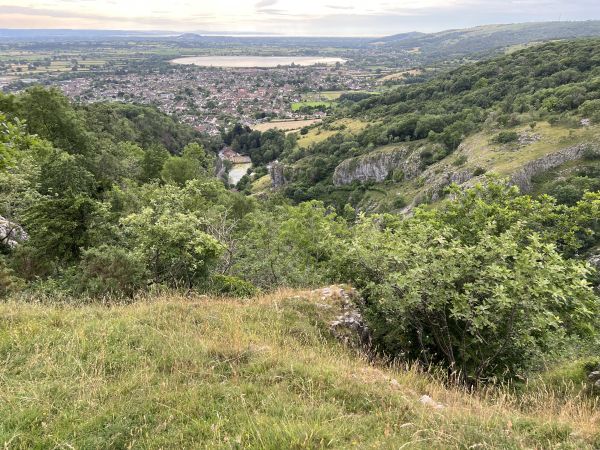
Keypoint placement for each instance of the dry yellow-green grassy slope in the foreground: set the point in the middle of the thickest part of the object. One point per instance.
(263, 373)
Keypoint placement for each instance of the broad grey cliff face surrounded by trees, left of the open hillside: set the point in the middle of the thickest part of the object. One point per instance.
(377, 166)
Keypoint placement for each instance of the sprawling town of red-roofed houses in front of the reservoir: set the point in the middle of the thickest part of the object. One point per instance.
(210, 99)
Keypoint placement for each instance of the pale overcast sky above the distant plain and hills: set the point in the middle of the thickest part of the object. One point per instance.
(291, 17)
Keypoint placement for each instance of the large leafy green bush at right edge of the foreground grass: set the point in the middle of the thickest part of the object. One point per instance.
(474, 286)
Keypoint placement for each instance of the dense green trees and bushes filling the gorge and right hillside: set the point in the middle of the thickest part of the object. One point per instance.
(109, 202)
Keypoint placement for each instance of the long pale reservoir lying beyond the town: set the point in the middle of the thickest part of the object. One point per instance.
(256, 61)
